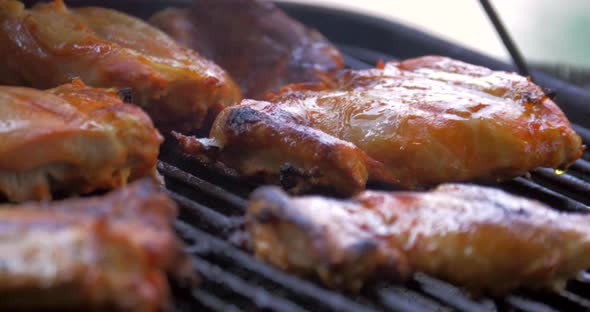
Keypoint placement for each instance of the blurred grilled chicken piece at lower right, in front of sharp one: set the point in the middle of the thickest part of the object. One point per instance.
(481, 238)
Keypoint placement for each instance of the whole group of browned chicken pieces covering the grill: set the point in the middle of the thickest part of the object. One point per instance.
(306, 124)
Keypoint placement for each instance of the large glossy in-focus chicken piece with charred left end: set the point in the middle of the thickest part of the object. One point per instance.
(416, 123)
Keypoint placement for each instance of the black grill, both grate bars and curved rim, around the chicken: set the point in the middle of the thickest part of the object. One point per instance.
(212, 206)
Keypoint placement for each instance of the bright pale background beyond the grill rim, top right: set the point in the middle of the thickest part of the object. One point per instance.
(545, 30)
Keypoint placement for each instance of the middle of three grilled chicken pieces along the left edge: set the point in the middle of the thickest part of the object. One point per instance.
(71, 139)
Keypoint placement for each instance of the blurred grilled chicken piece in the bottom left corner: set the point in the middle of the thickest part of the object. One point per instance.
(102, 253)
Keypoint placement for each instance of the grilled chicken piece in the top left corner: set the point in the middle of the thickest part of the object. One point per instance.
(50, 44)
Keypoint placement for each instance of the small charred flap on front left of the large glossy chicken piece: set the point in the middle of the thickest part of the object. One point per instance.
(249, 144)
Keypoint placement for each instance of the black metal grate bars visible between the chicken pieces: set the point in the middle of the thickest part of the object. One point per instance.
(212, 208)
